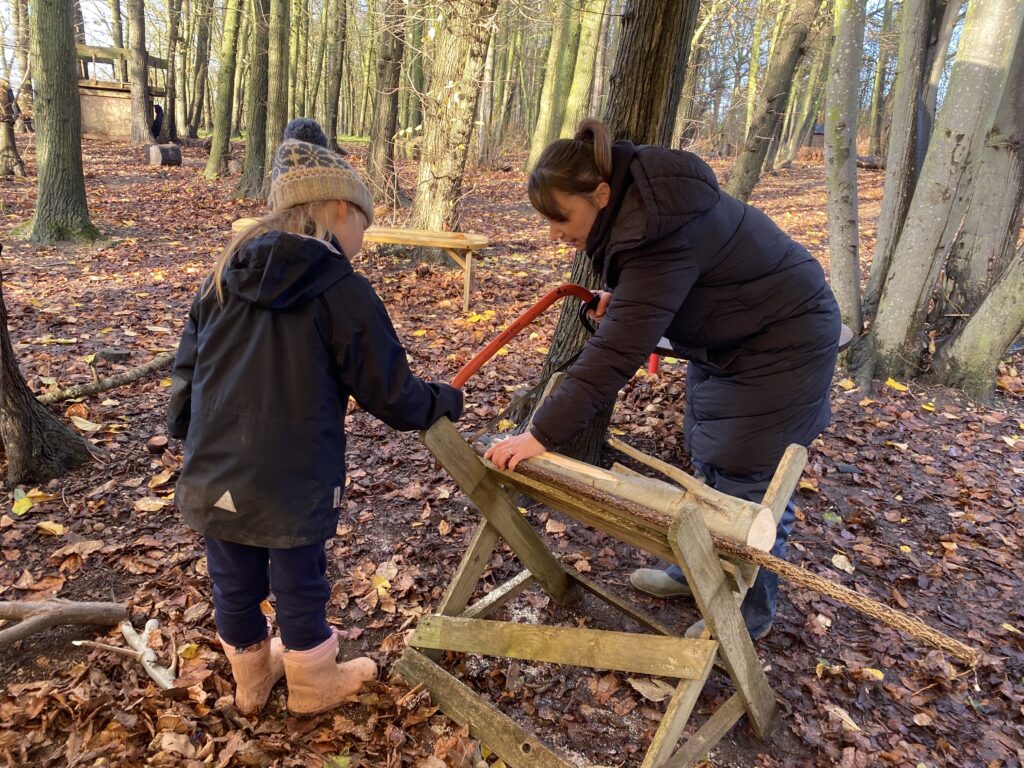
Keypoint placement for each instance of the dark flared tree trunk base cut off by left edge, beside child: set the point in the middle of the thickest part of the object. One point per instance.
(39, 448)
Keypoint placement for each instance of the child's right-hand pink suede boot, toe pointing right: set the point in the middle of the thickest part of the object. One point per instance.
(318, 684)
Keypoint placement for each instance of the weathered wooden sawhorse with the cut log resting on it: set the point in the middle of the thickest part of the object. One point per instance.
(674, 523)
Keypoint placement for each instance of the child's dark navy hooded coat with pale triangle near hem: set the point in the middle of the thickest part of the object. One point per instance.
(262, 383)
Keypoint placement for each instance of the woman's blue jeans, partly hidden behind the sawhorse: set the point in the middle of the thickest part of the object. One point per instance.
(758, 608)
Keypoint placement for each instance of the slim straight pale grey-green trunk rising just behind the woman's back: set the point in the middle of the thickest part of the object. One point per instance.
(841, 158)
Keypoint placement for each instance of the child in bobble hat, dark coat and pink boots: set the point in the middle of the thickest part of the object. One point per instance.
(278, 338)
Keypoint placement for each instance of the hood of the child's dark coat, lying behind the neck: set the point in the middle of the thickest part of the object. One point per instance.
(281, 271)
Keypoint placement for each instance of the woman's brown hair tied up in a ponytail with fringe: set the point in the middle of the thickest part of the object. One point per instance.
(573, 166)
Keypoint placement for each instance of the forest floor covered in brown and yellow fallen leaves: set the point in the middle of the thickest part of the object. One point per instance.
(917, 488)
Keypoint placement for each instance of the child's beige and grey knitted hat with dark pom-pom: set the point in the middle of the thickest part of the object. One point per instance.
(307, 172)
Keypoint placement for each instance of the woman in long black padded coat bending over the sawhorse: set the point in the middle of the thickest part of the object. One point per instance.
(749, 308)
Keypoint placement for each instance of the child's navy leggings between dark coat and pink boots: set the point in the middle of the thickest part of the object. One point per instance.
(244, 576)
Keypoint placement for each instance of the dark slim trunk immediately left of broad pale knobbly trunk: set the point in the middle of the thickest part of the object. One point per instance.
(380, 168)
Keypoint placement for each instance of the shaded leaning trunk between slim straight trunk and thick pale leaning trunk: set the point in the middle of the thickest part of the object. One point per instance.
(900, 183)
